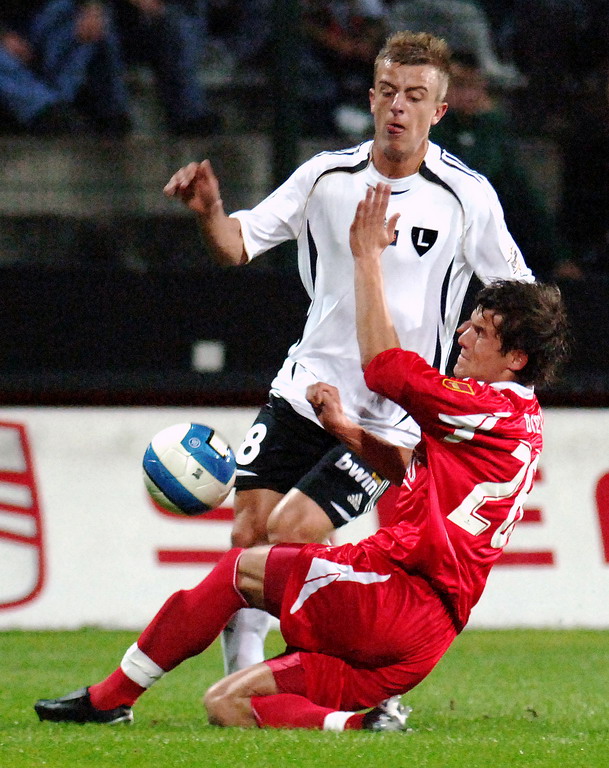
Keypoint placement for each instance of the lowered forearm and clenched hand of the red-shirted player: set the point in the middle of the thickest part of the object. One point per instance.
(387, 459)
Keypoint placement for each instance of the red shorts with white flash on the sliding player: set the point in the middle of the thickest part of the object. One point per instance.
(359, 628)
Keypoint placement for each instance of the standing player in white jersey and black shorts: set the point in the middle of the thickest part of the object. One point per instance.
(295, 482)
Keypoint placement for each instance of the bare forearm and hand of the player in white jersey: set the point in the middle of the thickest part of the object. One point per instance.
(197, 187)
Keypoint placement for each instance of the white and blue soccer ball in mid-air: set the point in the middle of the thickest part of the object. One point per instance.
(189, 469)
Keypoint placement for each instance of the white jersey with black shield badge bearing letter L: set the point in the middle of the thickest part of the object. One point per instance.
(451, 226)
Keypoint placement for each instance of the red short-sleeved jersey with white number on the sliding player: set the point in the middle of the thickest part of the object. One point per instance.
(465, 487)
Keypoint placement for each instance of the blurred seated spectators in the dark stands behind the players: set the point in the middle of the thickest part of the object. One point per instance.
(523, 69)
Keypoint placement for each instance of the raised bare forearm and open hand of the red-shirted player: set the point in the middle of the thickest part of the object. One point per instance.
(369, 235)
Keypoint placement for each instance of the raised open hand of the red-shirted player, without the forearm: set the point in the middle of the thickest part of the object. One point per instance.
(370, 232)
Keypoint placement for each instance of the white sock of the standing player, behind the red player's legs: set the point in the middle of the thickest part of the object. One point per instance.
(243, 639)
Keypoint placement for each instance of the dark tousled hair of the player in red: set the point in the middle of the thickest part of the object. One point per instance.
(533, 320)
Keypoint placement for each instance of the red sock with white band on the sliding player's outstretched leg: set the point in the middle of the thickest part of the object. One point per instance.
(188, 622)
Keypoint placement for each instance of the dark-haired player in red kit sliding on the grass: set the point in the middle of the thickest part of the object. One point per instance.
(368, 621)
